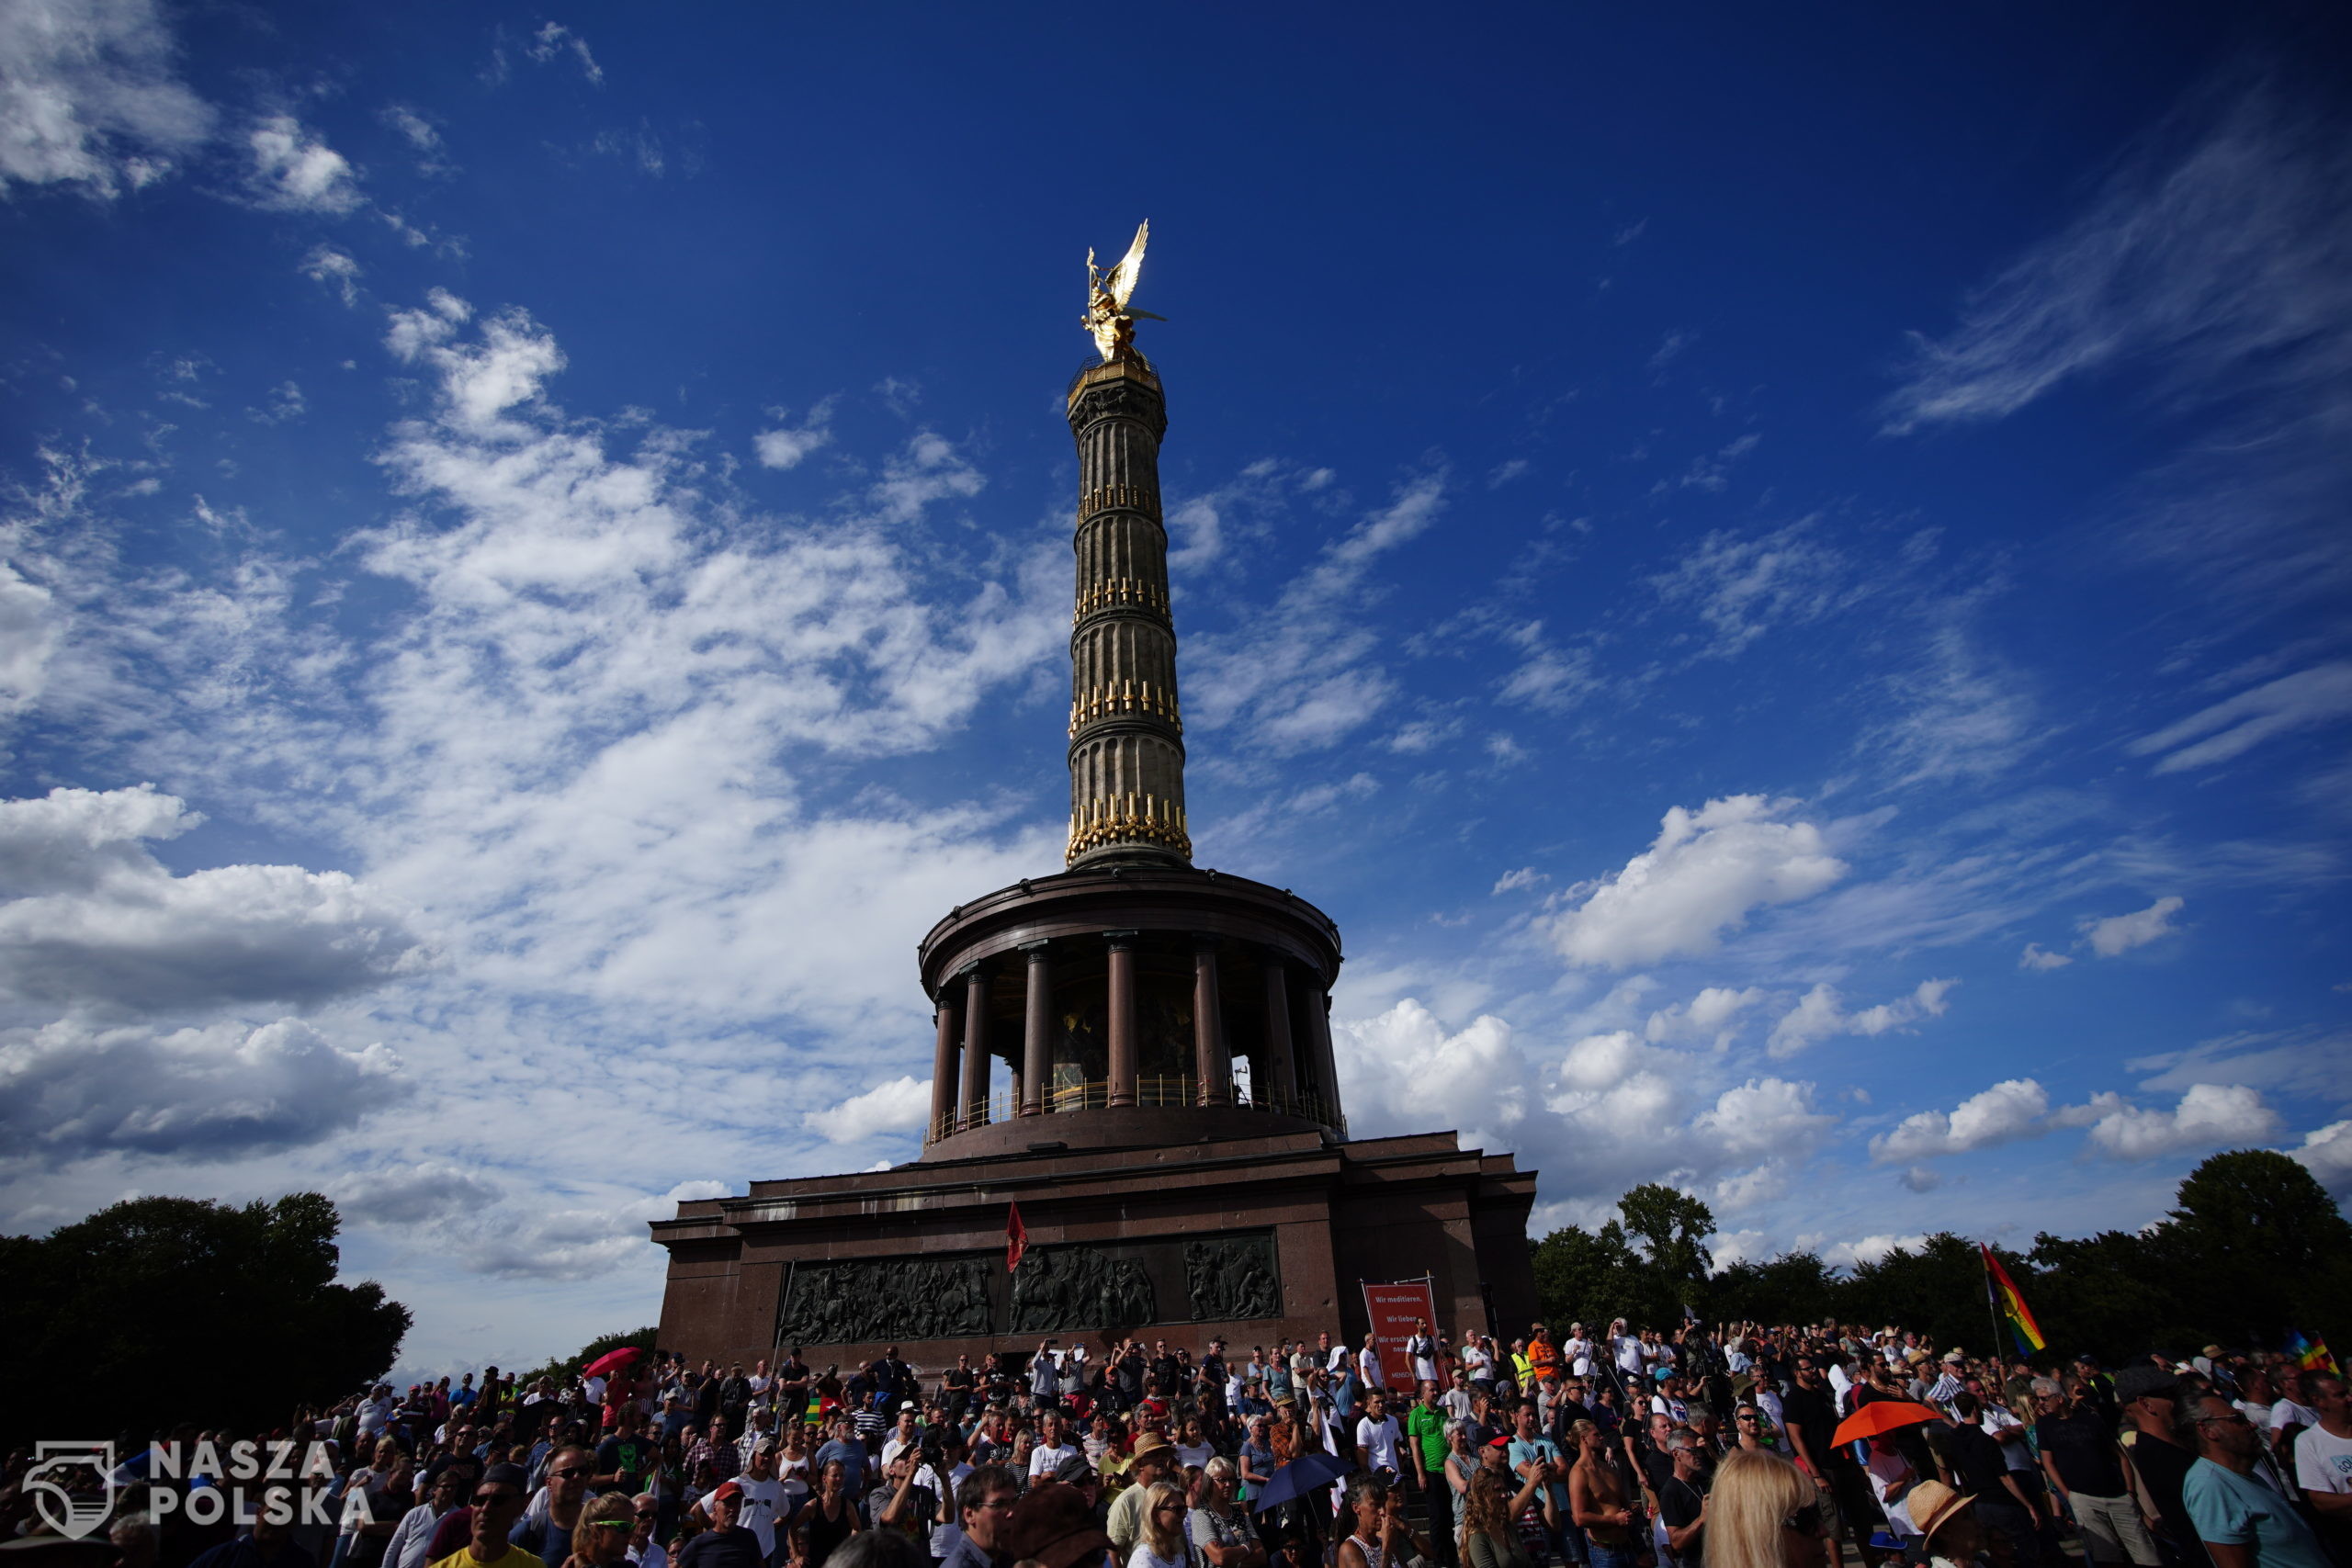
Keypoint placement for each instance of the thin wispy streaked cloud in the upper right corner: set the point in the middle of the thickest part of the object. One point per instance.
(2210, 269)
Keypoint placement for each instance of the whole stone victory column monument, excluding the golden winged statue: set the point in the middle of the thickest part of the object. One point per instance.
(1085, 1068)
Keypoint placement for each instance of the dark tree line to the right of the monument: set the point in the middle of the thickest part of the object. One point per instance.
(2252, 1252)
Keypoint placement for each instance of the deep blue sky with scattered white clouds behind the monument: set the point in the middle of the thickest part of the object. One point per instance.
(1782, 577)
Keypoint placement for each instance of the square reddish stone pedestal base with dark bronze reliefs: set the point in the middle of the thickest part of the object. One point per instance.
(1241, 1238)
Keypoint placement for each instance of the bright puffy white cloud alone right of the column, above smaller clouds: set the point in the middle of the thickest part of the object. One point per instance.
(1704, 876)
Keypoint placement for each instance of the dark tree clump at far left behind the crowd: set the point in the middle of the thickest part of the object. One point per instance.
(189, 1311)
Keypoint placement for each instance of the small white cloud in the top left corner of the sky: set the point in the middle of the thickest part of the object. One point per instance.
(88, 98)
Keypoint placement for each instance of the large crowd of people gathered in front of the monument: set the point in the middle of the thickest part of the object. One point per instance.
(1582, 1449)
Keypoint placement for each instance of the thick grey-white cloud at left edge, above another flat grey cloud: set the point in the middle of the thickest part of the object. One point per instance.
(91, 918)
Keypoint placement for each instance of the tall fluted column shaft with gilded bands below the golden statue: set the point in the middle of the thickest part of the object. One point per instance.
(1125, 723)
